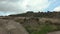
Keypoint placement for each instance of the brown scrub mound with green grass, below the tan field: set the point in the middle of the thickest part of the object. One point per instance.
(41, 28)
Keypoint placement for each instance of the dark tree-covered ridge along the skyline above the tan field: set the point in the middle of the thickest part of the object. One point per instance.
(39, 14)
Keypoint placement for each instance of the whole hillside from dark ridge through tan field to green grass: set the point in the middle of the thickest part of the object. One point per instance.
(37, 23)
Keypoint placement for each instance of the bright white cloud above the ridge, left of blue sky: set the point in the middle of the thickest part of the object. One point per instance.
(35, 5)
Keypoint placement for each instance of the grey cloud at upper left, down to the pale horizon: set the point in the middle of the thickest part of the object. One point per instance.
(9, 7)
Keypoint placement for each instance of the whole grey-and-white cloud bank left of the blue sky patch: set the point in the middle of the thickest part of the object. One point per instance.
(20, 6)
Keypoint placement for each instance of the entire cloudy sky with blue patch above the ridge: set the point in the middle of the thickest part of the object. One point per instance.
(8, 7)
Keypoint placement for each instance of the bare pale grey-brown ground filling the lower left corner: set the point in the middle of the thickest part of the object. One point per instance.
(11, 27)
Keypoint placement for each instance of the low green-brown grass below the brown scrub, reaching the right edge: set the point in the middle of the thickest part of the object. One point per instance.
(41, 28)
